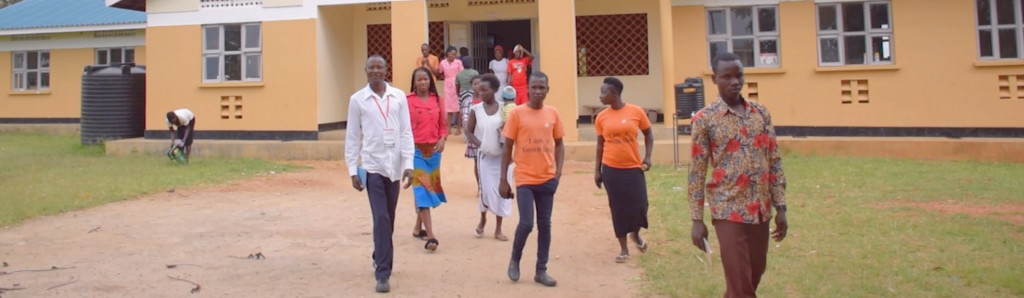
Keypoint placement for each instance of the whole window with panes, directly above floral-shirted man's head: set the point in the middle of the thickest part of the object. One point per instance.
(749, 32)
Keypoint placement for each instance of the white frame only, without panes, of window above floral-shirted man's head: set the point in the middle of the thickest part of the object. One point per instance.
(757, 37)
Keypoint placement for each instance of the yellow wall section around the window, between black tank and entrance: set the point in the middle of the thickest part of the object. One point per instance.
(286, 101)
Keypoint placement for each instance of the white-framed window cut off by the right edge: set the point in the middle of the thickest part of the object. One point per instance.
(1000, 28)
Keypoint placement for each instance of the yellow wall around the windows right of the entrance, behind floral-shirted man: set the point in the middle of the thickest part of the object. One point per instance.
(937, 83)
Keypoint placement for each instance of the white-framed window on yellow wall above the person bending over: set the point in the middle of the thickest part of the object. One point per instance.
(232, 53)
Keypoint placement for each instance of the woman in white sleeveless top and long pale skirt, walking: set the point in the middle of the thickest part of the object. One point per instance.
(485, 132)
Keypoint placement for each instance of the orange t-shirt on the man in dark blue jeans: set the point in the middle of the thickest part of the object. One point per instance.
(535, 133)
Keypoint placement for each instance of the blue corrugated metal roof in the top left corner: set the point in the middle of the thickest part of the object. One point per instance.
(54, 14)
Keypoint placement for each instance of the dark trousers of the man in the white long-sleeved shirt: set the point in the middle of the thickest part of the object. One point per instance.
(383, 201)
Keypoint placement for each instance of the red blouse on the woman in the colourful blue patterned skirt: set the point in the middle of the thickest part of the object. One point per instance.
(428, 118)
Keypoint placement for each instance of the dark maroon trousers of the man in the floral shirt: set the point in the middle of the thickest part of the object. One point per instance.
(745, 256)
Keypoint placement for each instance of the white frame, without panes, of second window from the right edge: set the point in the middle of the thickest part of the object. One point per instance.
(869, 33)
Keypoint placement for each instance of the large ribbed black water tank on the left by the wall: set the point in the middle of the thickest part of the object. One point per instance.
(113, 103)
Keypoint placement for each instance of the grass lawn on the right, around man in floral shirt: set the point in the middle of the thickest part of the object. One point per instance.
(864, 228)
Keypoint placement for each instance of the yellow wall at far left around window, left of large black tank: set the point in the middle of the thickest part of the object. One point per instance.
(64, 99)
